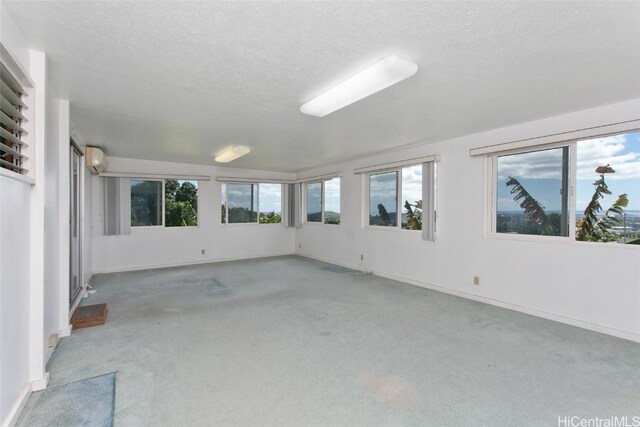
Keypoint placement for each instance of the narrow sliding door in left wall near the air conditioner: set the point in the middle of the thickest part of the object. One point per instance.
(75, 232)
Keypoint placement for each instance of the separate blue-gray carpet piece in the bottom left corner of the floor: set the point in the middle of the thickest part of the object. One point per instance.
(87, 402)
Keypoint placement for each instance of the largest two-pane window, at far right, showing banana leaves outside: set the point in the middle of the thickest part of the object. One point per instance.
(588, 190)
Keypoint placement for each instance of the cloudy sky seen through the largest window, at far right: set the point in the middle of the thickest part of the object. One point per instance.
(540, 173)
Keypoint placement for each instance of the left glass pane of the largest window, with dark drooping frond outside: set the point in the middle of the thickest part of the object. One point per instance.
(531, 193)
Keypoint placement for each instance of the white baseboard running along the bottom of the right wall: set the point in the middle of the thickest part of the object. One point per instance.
(498, 303)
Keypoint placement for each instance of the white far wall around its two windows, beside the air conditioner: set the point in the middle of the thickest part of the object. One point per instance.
(148, 247)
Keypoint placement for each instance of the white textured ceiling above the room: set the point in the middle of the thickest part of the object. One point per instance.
(178, 81)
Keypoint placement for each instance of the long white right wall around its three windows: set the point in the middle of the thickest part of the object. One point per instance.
(592, 285)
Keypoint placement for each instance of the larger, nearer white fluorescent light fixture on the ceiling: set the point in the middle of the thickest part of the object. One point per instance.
(381, 75)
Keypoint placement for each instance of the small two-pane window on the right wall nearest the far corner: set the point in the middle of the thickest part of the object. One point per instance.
(323, 201)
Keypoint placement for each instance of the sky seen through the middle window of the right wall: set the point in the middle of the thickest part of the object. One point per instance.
(382, 188)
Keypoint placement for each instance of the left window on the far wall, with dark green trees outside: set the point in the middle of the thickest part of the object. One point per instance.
(179, 198)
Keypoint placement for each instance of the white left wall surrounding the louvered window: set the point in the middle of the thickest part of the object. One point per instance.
(31, 213)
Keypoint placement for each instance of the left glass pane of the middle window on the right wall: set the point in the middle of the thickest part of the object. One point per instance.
(383, 199)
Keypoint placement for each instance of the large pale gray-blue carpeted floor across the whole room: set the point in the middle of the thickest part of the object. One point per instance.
(294, 342)
